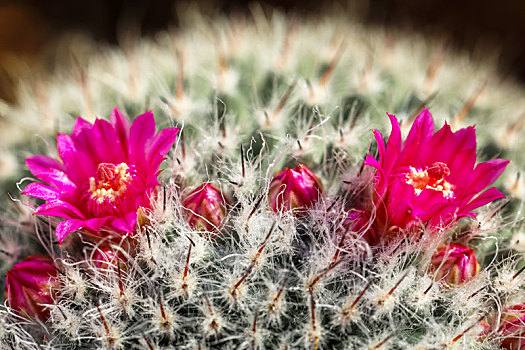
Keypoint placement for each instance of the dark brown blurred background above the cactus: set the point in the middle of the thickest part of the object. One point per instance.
(28, 28)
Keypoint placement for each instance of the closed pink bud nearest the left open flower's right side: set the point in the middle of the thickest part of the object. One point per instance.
(205, 208)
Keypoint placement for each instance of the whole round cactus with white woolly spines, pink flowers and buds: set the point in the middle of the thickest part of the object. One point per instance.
(276, 221)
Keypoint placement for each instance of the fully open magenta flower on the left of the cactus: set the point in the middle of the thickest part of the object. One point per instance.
(107, 171)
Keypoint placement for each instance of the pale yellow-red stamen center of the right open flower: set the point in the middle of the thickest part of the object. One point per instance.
(431, 178)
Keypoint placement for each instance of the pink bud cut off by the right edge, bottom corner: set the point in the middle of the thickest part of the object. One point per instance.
(512, 328)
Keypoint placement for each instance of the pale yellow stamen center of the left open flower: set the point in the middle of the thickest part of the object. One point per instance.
(112, 182)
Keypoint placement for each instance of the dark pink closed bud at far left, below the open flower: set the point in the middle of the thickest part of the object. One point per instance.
(30, 285)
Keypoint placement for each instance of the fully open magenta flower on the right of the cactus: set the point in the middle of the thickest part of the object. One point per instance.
(430, 178)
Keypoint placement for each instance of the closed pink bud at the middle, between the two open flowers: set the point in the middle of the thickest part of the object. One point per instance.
(294, 189)
